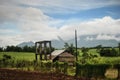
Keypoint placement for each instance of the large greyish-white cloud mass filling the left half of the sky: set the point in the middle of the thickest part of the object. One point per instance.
(29, 24)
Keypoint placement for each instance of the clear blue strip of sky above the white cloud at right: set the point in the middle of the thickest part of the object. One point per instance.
(112, 11)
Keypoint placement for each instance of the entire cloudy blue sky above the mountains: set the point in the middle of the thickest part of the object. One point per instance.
(36, 20)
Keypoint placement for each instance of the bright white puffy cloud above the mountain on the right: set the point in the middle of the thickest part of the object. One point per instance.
(105, 25)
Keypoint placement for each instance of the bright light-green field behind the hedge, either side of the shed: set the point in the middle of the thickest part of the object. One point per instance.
(31, 56)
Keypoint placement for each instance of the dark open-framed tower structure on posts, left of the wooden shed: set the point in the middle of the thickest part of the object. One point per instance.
(42, 49)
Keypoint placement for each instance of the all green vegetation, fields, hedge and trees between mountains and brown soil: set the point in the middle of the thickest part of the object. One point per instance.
(92, 62)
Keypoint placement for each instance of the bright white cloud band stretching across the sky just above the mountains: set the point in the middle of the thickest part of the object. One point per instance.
(105, 28)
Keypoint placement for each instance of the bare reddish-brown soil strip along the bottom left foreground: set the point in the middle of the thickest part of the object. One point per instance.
(13, 74)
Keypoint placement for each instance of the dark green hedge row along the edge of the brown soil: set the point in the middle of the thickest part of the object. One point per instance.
(83, 70)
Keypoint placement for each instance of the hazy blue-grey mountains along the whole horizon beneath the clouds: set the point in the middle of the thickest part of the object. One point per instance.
(82, 42)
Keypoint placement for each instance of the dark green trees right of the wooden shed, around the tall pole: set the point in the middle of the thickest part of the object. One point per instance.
(102, 51)
